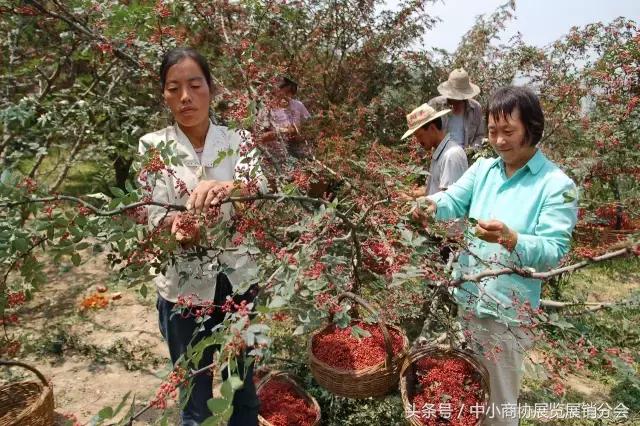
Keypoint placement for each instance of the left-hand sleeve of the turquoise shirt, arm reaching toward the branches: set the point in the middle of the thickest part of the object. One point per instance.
(455, 201)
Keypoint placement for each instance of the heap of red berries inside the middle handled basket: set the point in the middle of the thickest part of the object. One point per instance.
(339, 348)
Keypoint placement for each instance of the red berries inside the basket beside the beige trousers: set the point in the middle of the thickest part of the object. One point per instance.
(446, 384)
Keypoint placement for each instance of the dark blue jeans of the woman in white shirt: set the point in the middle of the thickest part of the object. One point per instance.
(179, 332)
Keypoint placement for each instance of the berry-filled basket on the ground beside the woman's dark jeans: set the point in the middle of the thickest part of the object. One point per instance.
(283, 402)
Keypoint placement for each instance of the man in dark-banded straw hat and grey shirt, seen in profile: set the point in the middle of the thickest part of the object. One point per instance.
(448, 161)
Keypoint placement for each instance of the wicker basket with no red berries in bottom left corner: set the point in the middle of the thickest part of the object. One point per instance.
(26, 403)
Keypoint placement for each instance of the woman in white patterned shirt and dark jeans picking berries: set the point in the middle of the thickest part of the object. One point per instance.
(187, 91)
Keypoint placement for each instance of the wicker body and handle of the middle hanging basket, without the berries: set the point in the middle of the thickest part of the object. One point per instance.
(368, 382)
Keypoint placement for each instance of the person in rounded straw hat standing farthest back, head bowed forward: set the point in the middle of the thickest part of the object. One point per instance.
(465, 124)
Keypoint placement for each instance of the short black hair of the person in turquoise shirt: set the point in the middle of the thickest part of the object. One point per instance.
(506, 99)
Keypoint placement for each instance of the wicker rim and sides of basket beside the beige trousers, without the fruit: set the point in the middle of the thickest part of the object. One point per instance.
(408, 375)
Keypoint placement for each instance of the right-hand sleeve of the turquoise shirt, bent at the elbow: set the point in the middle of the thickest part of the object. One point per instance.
(552, 234)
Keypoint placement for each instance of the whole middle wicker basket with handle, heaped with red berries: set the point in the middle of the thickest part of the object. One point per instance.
(357, 367)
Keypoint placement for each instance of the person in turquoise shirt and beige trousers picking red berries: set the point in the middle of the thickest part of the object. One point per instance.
(526, 209)
